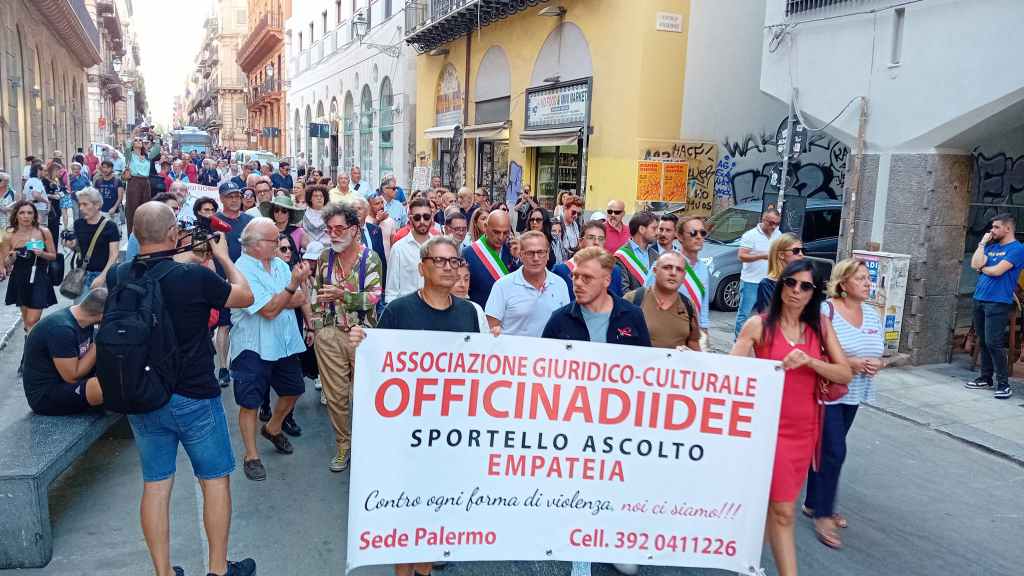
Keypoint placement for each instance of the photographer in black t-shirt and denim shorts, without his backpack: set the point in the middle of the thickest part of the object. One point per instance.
(194, 417)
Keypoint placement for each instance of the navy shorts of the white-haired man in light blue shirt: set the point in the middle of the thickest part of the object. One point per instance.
(253, 378)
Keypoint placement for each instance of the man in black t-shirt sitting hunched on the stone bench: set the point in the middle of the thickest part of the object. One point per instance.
(60, 358)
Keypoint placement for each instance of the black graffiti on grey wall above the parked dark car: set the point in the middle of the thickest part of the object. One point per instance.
(745, 172)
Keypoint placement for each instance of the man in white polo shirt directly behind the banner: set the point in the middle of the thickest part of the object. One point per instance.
(522, 303)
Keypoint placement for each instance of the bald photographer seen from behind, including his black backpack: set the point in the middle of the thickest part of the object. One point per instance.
(155, 363)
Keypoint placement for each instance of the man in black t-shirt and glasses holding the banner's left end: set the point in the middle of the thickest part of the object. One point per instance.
(432, 308)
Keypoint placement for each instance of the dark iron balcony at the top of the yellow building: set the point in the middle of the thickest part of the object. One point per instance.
(431, 24)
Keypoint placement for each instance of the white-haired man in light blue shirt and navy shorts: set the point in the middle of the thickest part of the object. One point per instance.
(267, 344)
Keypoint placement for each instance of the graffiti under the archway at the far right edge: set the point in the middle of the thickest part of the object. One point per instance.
(998, 187)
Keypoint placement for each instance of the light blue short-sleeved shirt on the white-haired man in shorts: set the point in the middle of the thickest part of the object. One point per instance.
(272, 340)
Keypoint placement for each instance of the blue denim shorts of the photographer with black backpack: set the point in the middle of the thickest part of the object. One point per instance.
(199, 425)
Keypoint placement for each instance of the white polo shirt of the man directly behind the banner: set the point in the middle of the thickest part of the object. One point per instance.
(523, 310)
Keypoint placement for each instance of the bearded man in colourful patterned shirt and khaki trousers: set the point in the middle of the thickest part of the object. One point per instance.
(349, 289)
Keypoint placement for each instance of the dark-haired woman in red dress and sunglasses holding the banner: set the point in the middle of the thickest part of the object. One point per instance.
(793, 332)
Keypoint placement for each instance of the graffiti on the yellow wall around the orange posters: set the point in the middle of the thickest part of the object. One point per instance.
(703, 161)
